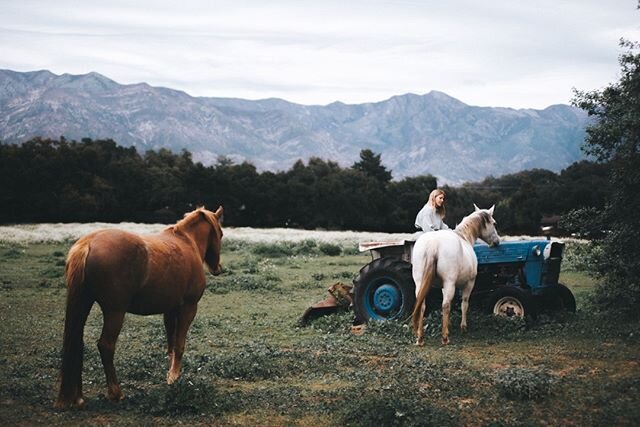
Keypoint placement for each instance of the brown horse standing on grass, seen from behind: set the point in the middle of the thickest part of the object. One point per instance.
(128, 273)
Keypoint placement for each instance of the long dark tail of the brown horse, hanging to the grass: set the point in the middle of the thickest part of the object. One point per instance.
(79, 302)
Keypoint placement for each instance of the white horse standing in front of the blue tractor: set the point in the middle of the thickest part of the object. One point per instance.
(448, 256)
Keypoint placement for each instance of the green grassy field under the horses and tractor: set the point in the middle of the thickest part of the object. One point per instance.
(248, 362)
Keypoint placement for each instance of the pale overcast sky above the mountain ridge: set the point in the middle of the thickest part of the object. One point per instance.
(506, 53)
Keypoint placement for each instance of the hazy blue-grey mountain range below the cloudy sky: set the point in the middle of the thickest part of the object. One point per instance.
(415, 134)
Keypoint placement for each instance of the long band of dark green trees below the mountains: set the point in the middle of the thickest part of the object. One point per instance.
(45, 180)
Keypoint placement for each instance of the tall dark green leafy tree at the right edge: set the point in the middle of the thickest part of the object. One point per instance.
(614, 138)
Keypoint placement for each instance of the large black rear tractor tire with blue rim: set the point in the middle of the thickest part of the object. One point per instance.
(384, 290)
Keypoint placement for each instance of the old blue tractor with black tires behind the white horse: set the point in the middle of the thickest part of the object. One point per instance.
(515, 279)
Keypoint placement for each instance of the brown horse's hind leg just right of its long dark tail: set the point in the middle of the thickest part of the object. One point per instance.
(107, 346)
